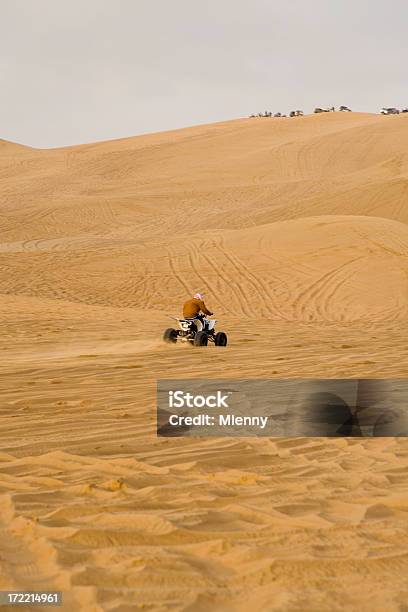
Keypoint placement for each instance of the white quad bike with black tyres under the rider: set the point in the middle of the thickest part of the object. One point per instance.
(188, 332)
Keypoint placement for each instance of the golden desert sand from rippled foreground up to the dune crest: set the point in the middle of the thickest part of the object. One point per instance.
(297, 231)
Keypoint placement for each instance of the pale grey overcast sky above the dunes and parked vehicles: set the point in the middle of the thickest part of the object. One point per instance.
(74, 71)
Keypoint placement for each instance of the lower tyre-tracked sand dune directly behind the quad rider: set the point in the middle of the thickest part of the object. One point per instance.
(331, 267)
